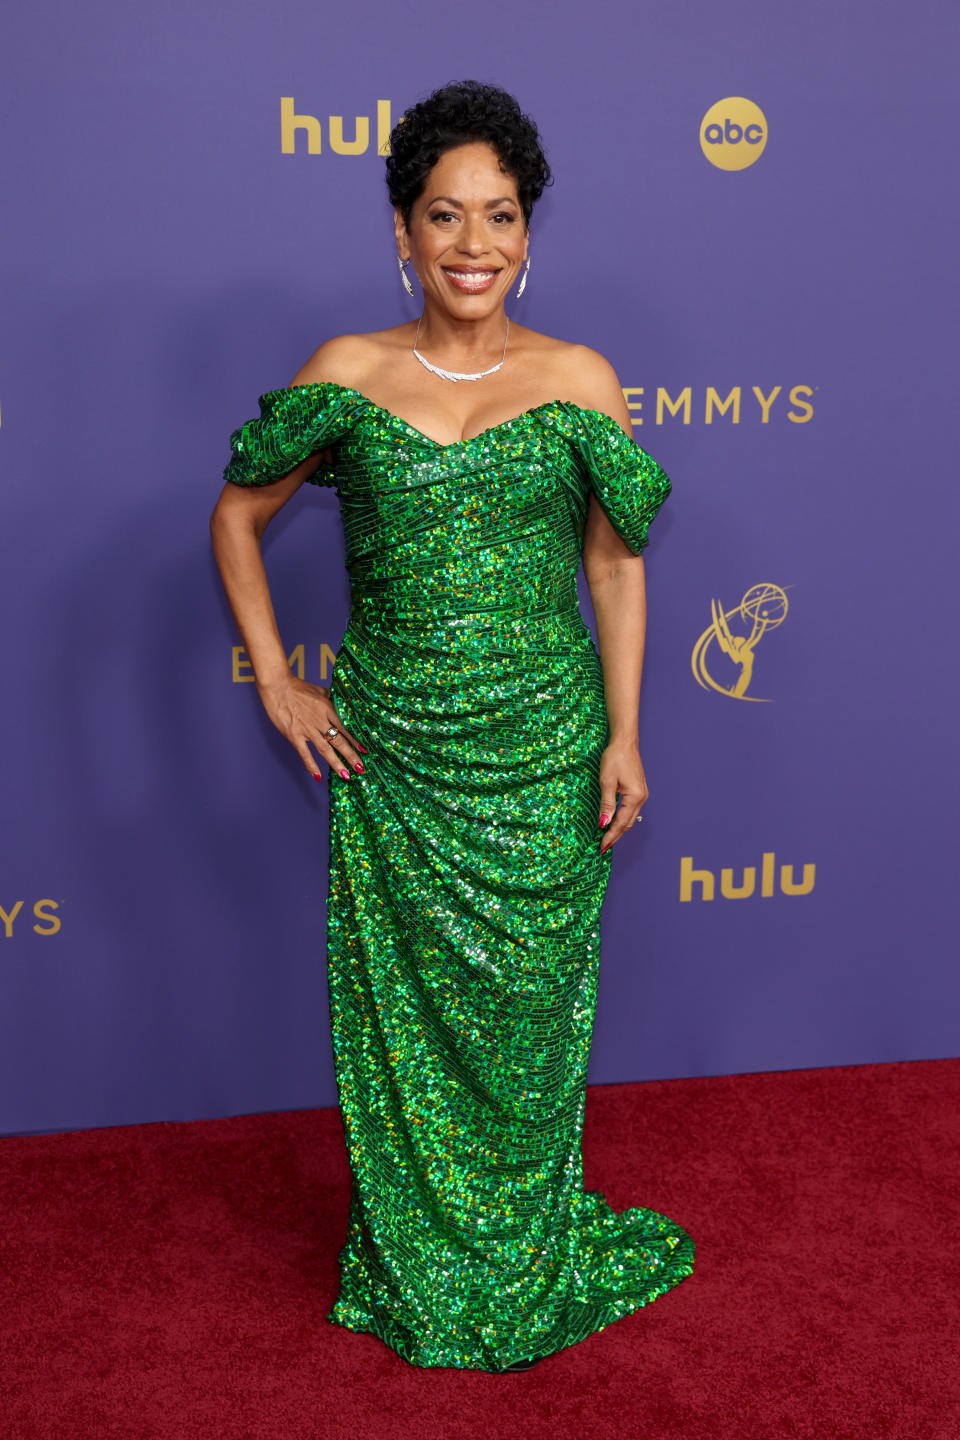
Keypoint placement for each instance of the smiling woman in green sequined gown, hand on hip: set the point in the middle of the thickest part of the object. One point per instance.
(486, 760)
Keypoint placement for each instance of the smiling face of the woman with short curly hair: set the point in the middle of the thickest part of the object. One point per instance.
(467, 237)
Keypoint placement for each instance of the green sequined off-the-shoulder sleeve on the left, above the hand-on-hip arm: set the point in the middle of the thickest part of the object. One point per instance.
(293, 424)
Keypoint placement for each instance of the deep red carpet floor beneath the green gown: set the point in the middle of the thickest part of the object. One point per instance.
(171, 1281)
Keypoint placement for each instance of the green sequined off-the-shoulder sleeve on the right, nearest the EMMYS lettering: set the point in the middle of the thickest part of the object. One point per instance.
(628, 483)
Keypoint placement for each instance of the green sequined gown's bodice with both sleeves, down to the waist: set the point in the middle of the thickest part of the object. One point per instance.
(487, 525)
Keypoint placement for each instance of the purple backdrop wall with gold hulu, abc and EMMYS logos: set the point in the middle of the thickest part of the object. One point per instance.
(755, 220)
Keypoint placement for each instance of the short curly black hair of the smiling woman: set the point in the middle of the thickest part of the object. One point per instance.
(456, 116)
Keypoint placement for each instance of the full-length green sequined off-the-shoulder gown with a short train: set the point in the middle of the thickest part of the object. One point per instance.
(466, 875)
